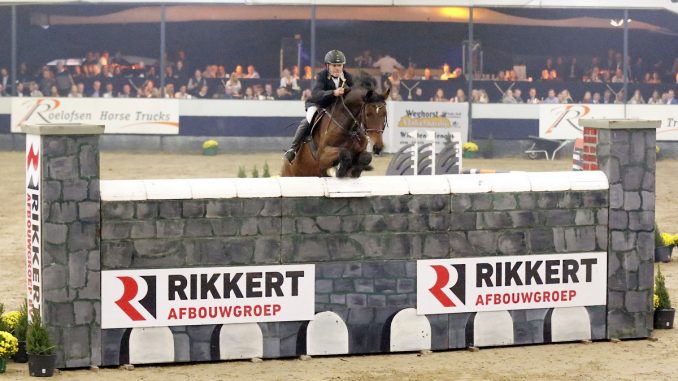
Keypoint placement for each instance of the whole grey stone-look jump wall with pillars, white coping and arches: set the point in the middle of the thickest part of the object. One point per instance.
(364, 237)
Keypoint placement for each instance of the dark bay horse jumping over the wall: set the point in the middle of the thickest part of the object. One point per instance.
(341, 135)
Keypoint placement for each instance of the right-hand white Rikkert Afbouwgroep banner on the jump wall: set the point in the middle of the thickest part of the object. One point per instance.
(511, 283)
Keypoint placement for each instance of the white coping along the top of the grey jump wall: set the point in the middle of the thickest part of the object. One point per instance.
(180, 189)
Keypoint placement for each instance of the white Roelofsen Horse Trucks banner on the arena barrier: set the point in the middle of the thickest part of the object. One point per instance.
(119, 115)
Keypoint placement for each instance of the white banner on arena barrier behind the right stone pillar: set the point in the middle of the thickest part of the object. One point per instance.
(561, 121)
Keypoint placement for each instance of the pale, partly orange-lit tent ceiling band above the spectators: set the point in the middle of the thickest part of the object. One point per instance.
(185, 13)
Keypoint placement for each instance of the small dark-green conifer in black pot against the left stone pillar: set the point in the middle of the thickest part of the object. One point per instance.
(41, 351)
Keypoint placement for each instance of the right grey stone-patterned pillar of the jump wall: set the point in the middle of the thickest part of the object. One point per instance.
(628, 157)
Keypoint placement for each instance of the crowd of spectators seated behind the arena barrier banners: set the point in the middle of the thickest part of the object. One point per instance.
(102, 75)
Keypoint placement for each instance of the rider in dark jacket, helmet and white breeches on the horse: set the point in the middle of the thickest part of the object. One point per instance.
(329, 84)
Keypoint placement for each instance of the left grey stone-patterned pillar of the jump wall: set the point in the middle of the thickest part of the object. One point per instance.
(71, 258)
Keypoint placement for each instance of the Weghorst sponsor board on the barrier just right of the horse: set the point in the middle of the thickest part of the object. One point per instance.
(444, 118)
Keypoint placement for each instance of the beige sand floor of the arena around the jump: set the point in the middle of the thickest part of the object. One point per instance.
(626, 360)
